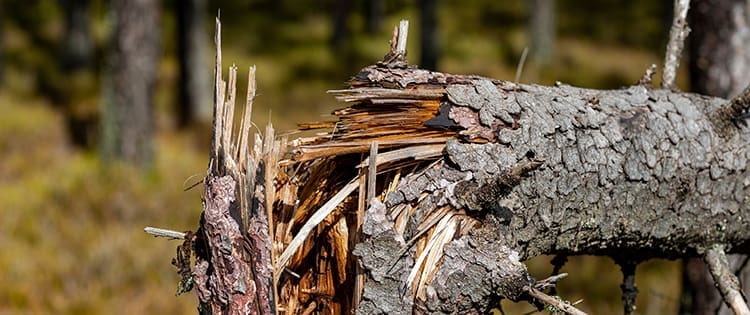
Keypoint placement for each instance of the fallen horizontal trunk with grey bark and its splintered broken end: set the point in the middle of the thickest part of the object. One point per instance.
(476, 175)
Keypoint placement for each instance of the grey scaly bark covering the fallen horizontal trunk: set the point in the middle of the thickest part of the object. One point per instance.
(634, 174)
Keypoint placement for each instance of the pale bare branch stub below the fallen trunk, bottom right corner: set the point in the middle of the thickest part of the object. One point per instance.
(725, 280)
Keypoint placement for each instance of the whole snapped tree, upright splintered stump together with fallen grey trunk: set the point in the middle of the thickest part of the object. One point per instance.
(460, 179)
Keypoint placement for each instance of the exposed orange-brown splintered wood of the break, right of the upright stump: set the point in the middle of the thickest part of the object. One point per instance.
(318, 217)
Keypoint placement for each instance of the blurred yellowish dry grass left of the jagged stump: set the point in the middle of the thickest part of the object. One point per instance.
(72, 228)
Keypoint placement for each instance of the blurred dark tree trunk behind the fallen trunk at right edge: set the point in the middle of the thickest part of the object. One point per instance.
(719, 66)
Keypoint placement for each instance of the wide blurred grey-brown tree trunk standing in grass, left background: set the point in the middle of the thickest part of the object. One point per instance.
(128, 114)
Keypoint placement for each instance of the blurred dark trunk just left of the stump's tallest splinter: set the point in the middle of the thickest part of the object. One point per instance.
(192, 52)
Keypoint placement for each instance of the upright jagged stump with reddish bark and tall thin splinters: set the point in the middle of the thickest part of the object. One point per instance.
(233, 270)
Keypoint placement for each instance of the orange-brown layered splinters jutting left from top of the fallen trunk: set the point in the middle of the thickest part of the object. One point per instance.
(392, 117)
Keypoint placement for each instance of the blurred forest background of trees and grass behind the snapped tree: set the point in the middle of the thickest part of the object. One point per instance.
(72, 207)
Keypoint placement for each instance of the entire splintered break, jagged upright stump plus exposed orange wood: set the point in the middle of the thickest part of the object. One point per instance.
(288, 208)
